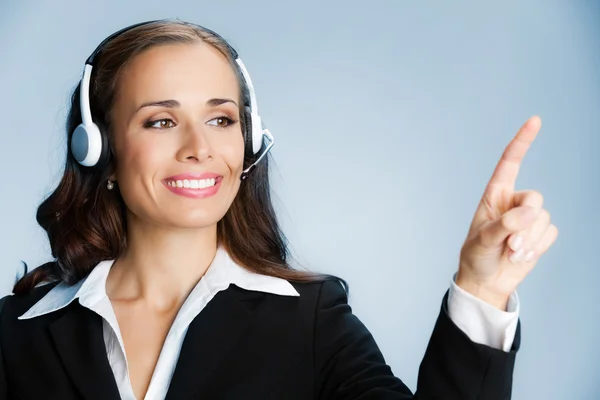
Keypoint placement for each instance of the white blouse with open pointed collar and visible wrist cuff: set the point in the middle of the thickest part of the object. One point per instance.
(481, 322)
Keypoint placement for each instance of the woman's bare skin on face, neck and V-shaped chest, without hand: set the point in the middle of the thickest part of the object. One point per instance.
(171, 238)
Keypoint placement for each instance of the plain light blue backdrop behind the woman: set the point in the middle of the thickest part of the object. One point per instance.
(389, 118)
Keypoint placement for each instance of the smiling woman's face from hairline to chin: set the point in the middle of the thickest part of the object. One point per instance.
(178, 142)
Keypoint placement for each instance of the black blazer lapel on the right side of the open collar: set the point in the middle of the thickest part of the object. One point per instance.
(209, 341)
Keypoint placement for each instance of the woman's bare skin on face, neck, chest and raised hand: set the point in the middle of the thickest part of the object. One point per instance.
(172, 239)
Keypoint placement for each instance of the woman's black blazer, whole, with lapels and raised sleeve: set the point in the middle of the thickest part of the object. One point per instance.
(249, 345)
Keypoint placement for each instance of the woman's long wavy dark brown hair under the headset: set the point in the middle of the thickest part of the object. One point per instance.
(86, 224)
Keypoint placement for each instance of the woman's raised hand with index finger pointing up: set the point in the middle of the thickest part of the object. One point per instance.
(505, 221)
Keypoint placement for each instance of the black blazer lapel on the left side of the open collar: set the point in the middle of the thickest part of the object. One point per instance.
(80, 345)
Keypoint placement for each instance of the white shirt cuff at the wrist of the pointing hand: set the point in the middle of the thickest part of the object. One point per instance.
(482, 322)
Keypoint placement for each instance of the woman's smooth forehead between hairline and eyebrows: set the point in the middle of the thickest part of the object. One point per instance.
(194, 72)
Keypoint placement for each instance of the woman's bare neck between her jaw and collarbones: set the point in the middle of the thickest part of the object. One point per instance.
(161, 265)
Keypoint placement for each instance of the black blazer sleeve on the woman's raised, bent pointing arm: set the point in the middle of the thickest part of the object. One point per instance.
(349, 364)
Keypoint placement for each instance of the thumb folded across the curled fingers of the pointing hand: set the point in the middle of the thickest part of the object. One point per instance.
(514, 220)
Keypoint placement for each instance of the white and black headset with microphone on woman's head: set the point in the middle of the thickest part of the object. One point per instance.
(89, 143)
